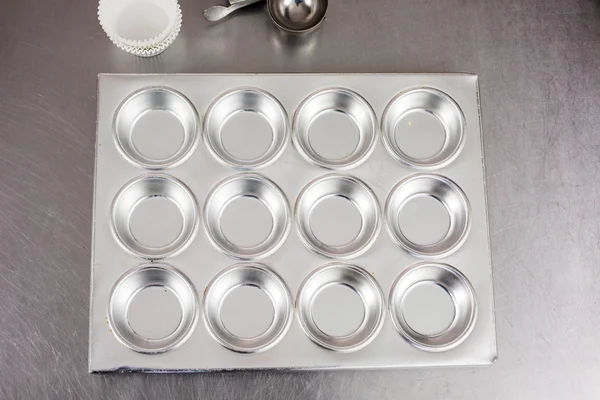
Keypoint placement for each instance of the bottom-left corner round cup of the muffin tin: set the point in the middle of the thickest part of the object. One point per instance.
(139, 326)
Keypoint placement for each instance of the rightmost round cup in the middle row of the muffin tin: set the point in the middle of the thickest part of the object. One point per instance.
(428, 215)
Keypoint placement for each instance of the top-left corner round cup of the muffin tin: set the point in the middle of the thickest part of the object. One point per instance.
(156, 128)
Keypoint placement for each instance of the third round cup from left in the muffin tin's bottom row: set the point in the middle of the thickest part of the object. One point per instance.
(371, 313)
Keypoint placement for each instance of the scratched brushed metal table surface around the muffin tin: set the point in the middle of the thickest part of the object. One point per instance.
(539, 68)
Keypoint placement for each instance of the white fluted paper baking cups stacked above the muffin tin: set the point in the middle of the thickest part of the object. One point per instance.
(141, 27)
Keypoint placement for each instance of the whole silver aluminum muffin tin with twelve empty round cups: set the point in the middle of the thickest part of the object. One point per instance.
(300, 221)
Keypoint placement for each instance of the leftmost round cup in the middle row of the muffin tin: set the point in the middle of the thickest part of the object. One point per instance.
(154, 216)
